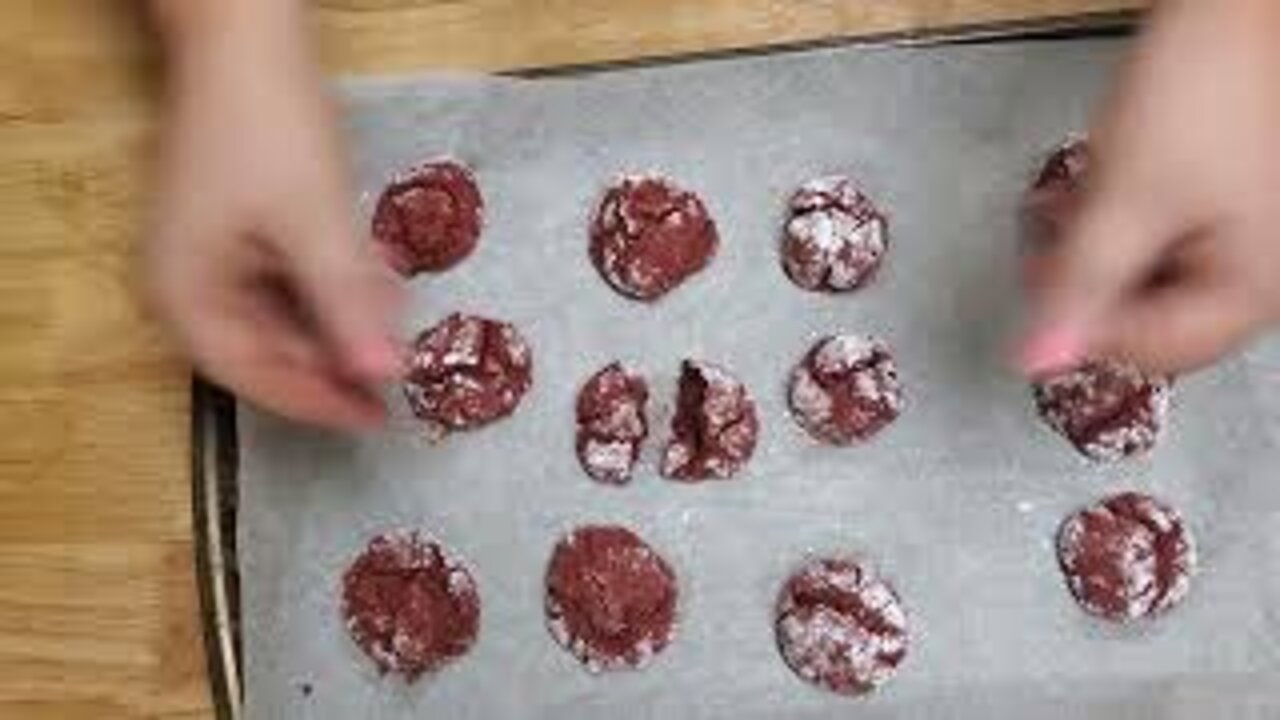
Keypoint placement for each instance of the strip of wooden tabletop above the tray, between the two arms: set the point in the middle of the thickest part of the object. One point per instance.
(500, 35)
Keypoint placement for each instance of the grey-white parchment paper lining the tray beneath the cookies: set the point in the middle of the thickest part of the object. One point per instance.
(957, 504)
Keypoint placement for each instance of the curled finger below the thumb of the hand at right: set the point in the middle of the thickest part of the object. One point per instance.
(1181, 327)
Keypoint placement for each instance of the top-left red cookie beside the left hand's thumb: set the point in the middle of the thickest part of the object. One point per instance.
(429, 220)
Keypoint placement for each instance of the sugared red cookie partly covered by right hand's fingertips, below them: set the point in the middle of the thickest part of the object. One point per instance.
(1109, 411)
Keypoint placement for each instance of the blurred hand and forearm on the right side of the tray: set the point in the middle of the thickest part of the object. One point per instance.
(1173, 257)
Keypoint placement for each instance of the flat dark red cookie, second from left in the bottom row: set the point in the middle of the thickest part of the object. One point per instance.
(611, 599)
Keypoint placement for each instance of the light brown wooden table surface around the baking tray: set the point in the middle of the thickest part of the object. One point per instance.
(98, 605)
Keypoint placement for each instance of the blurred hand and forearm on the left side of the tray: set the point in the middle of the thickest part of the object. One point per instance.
(253, 257)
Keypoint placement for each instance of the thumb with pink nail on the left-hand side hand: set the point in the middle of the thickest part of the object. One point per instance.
(353, 300)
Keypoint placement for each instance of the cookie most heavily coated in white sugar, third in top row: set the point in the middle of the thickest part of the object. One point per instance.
(835, 238)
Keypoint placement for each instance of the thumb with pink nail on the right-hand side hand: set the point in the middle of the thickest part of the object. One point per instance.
(1108, 253)
